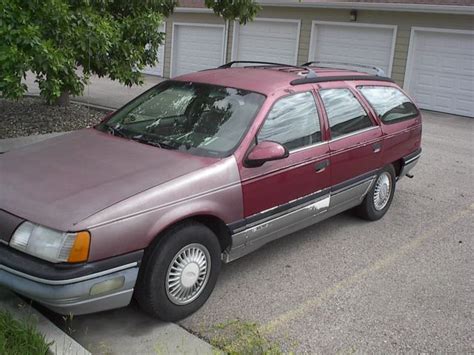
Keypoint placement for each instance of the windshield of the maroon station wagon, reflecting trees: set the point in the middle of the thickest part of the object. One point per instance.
(198, 118)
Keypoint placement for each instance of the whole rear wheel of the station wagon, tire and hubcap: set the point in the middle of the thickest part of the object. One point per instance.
(379, 198)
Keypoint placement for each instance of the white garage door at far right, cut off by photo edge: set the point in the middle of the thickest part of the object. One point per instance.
(440, 70)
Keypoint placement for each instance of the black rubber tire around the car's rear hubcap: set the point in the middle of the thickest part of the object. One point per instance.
(367, 208)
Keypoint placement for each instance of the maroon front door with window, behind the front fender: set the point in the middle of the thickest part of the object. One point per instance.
(284, 188)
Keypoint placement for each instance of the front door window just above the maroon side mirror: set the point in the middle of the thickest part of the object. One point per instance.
(293, 122)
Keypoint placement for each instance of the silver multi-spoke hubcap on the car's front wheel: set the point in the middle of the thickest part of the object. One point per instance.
(188, 274)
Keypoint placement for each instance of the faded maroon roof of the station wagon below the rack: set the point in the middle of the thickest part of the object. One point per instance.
(268, 79)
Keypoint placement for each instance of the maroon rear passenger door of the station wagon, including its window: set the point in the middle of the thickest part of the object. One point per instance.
(355, 144)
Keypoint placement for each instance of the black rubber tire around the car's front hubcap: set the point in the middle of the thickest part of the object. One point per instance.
(151, 290)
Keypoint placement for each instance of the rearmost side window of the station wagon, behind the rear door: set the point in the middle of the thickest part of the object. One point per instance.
(390, 103)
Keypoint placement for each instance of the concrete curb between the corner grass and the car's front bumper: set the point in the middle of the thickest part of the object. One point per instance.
(62, 343)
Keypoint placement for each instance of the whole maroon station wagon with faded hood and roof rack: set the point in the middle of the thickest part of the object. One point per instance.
(201, 169)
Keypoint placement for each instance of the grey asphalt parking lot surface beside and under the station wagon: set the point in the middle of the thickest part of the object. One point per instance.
(404, 283)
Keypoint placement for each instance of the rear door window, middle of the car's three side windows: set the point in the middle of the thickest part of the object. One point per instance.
(345, 113)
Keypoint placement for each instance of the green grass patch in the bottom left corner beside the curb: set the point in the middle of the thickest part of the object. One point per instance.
(20, 337)
